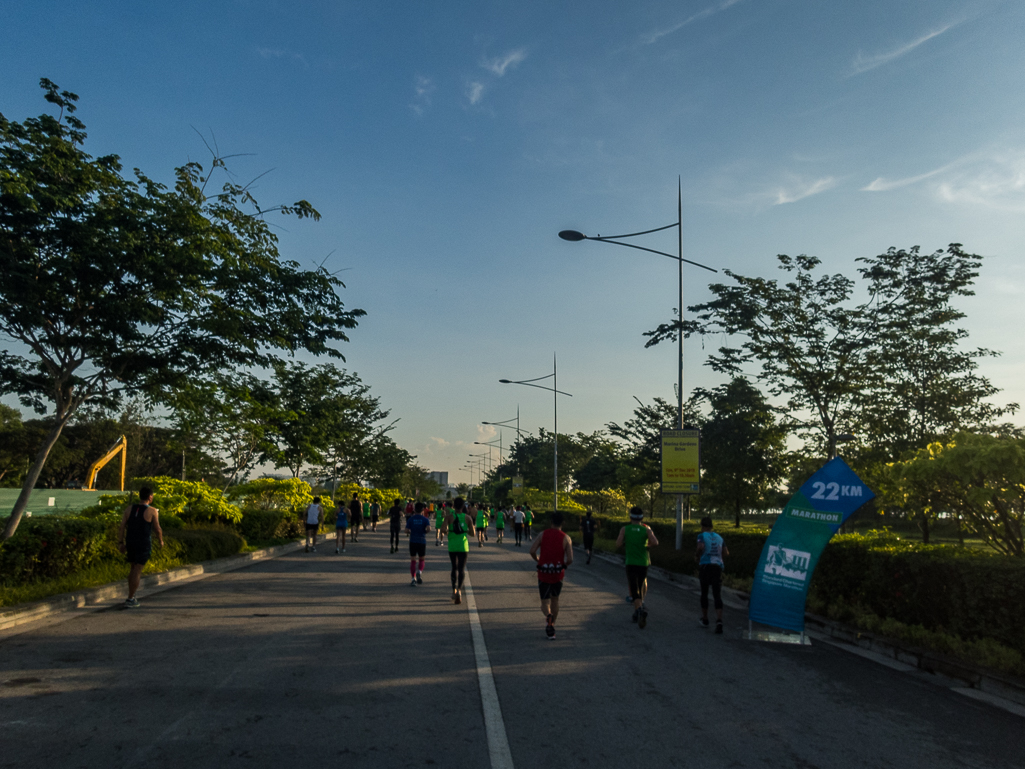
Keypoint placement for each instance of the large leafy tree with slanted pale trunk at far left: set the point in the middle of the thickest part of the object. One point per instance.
(116, 287)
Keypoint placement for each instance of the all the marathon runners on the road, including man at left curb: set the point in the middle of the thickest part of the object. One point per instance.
(458, 522)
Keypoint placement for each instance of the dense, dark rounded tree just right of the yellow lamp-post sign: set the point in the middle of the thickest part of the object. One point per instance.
(743, 449)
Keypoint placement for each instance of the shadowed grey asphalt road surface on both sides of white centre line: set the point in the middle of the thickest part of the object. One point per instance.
(317, 660)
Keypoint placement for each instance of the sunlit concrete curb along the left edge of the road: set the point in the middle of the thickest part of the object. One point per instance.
(93, 599)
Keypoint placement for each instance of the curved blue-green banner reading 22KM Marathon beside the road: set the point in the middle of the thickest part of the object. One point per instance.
(798, 539)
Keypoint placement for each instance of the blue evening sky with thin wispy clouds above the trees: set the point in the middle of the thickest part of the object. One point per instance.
(446, 144)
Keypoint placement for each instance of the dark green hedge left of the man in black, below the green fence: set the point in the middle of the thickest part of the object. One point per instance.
(51, 547)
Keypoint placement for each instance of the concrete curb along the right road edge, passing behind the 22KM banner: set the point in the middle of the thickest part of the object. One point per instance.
(971, 676)
